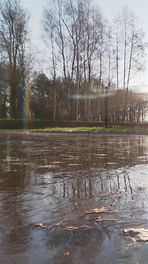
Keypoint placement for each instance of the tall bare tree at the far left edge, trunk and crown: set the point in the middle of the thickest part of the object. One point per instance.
(13, 35)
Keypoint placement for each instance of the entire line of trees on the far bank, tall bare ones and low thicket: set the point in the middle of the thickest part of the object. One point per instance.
(89, 59)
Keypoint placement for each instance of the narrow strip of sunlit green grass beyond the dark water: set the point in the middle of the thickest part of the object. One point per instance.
(113, 129)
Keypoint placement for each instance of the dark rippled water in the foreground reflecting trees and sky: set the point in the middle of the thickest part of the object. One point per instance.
(67, 198)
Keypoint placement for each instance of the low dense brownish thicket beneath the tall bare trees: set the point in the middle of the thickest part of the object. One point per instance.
(52, 100)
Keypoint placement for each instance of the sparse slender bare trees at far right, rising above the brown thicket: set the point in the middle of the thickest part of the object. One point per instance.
(130, 47)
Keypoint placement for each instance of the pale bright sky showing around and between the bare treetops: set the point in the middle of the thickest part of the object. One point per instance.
(110, 9)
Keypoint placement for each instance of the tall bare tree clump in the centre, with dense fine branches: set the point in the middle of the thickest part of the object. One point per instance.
(77, 30)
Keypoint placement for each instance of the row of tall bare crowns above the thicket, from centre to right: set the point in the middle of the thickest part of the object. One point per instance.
(85, 46)
